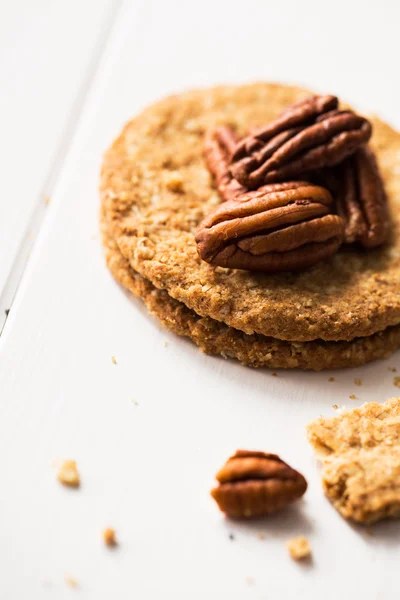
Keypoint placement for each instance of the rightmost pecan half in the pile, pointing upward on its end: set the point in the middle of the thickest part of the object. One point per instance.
(362, 201)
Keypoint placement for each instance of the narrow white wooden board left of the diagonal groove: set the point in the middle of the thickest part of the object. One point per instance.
(49, 51)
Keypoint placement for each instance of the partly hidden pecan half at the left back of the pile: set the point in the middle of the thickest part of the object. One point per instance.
(219, 144)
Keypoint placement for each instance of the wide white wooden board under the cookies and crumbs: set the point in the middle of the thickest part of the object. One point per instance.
(147, 467)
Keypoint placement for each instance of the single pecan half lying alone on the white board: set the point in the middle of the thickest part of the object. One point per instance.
(253, 484)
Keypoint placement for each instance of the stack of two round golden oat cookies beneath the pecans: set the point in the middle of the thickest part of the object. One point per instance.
(156, 189)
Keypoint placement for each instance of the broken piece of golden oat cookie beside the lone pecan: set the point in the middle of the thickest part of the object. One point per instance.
(360, 450)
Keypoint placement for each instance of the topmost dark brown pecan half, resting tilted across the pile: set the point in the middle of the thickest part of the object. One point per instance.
(310, 135)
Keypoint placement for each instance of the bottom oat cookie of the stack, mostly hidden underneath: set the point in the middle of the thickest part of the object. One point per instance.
(214, 337)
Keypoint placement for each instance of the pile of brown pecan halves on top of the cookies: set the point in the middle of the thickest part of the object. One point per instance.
(270, 222)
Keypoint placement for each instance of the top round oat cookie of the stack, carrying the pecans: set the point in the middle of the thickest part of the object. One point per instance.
(156, 188)
